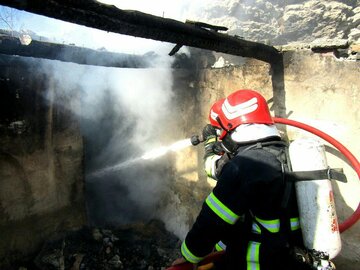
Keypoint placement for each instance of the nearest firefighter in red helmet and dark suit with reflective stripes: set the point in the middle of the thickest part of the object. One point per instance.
(251, 199)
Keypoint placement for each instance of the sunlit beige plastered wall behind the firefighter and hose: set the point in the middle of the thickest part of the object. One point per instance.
(319, 90)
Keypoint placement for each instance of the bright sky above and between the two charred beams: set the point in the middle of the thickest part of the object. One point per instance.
(68, 33)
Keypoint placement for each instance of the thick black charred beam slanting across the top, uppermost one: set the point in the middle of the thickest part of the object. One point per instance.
(134, 23)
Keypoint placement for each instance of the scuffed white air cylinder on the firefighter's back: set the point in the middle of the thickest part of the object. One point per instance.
(316, 204)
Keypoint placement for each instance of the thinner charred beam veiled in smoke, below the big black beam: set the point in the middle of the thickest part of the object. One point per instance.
(67, 53)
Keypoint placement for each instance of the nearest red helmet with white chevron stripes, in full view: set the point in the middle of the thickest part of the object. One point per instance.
(244, 107)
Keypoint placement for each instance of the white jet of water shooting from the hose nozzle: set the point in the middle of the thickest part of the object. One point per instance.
(150, 155)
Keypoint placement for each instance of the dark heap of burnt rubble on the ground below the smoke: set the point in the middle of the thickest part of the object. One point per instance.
(137, 246)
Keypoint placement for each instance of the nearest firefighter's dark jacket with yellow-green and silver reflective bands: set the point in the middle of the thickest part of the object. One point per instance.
(246, 209)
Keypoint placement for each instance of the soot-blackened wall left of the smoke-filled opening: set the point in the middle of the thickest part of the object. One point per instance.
(41, 160)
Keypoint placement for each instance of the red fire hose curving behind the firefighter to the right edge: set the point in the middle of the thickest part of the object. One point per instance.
(349, 156)
